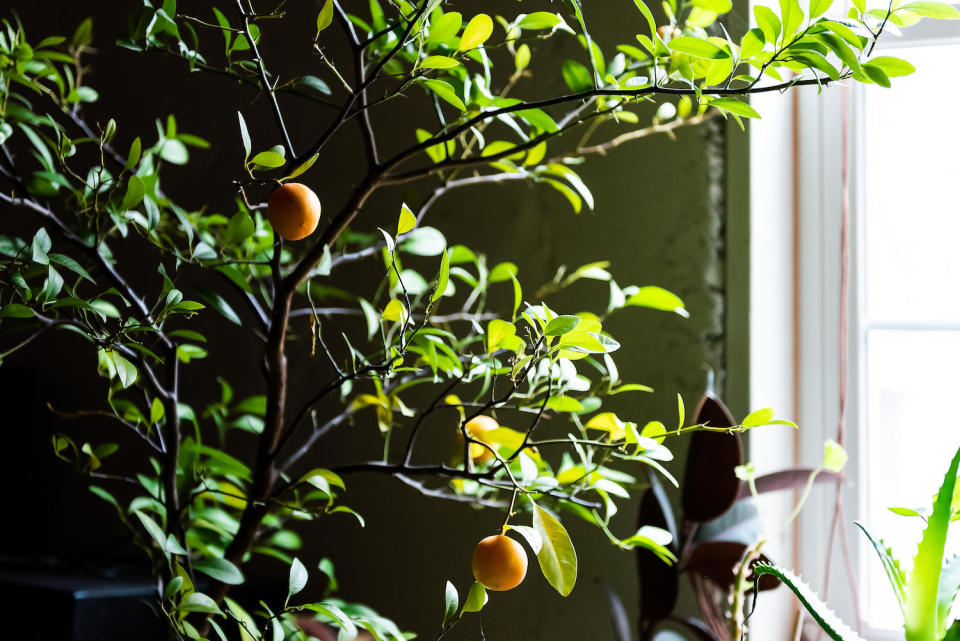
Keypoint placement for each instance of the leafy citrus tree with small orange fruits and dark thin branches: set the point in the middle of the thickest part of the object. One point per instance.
(444, 339)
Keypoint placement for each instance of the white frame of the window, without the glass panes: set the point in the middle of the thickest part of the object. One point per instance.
(796, 208)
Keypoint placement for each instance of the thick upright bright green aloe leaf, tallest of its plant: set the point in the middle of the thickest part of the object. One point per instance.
(922, 618)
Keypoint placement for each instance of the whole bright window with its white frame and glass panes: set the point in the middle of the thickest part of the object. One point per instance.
(903, 341)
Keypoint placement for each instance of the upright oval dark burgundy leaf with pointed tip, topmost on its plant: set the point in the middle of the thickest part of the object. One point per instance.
(710, 485)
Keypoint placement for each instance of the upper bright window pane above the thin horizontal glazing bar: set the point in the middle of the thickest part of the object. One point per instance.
(911, 138)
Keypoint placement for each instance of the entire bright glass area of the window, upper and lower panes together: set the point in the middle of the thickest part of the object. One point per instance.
(912, 295)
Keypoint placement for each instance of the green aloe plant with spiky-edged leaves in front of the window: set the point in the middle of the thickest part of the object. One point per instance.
(926, 595)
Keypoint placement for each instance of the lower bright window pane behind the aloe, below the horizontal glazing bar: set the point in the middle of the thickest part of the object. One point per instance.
(912, 435)
